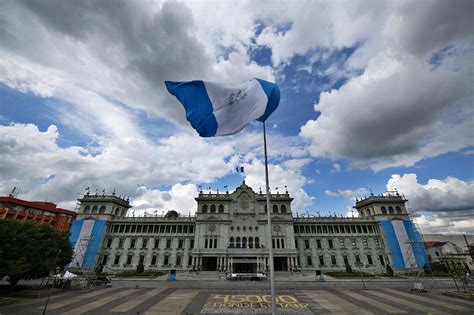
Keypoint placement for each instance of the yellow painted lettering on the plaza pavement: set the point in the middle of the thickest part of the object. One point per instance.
(252, 301)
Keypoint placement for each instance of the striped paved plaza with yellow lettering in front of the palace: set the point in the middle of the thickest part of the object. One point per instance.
(187, 297)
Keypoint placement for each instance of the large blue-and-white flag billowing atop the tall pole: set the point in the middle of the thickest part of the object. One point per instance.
(216, 109)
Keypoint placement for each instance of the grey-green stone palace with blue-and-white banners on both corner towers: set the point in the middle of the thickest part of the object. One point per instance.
(229, 233)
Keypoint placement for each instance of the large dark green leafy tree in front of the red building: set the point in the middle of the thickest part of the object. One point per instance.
(30, 250)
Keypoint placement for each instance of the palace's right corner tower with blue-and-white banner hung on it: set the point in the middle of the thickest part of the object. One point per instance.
(403, 240)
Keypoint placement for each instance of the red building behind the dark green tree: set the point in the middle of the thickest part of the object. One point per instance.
(39, 211)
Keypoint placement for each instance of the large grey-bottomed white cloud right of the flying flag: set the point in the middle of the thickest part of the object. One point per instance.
(396, 113)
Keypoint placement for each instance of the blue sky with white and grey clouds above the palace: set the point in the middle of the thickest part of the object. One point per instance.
(376, 95)
